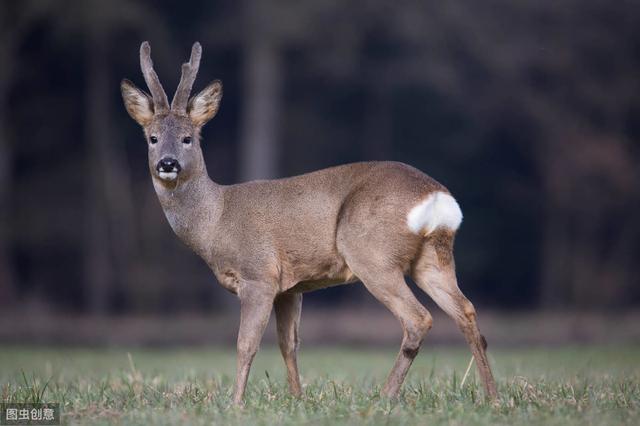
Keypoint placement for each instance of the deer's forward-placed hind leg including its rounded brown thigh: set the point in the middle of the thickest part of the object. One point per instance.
(378, 253)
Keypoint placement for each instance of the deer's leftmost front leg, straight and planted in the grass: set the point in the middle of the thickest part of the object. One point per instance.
(255, 308)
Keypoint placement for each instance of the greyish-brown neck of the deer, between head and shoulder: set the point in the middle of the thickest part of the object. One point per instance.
(193, 209)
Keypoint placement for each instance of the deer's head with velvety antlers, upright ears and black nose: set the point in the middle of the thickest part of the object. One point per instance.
(172, 132)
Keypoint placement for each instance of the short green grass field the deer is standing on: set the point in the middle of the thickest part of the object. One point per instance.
(570, 385)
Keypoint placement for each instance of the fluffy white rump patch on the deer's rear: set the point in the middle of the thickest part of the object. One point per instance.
(438, 210)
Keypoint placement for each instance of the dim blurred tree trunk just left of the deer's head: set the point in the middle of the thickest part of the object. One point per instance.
(111, 230)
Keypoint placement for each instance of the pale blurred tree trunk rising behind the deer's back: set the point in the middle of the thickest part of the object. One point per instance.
(262, 69)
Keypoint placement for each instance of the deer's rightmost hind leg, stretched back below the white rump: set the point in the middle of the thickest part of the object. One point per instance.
(434, 272)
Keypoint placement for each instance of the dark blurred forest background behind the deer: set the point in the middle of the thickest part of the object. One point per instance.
(528, 111)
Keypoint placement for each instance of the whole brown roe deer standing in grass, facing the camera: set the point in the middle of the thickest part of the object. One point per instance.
(270, 241)
